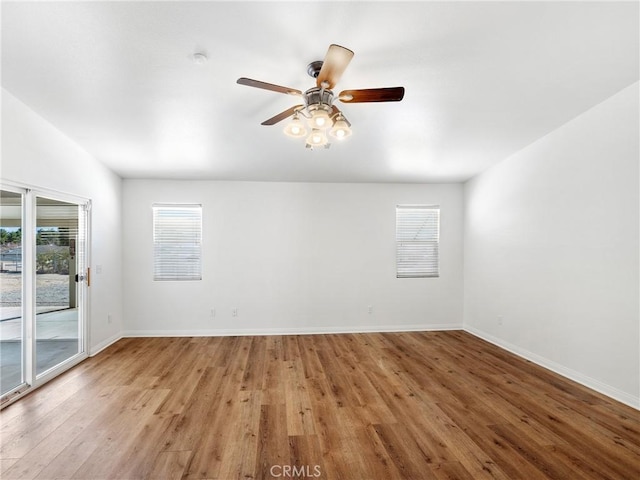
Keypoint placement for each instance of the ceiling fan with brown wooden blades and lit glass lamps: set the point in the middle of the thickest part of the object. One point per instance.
(317, 106)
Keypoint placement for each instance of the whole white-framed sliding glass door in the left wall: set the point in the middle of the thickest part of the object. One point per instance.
(44, 277)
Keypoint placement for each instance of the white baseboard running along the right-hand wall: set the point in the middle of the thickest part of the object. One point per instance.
(569, 373)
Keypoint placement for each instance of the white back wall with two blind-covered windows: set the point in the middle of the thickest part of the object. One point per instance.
(291, 257)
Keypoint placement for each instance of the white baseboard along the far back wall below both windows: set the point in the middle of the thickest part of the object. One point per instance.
(233, 332)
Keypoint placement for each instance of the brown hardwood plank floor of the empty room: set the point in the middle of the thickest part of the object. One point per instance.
(441, 405)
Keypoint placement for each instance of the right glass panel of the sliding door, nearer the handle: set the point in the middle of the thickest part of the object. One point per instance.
(59, 238)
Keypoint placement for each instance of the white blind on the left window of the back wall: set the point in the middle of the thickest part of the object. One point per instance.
(177, 242)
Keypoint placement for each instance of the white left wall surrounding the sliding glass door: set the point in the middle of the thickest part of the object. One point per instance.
(34, 152)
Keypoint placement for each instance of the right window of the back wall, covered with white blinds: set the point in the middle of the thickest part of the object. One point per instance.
(417, 238)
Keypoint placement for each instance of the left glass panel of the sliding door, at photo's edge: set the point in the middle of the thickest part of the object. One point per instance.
(11, 322)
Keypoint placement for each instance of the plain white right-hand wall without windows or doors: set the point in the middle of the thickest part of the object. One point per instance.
(552, 247)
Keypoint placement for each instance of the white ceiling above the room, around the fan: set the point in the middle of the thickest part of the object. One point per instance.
(483, 80)
